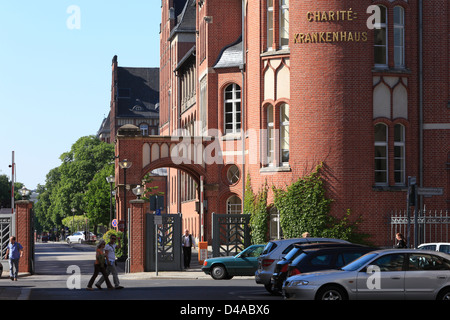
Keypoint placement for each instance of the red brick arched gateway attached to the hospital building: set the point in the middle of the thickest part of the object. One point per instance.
(147, 153)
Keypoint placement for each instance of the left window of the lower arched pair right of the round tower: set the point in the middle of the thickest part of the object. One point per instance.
(381, 154)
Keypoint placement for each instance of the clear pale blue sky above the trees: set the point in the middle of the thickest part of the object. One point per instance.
(55, 73)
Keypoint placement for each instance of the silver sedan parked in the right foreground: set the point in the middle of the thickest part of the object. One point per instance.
(382, 274)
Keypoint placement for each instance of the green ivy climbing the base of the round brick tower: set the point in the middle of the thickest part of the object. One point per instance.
(303, 207)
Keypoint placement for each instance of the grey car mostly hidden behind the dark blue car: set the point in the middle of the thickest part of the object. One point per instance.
(274, 251)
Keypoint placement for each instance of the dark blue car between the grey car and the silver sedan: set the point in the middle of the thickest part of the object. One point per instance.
(307, 258)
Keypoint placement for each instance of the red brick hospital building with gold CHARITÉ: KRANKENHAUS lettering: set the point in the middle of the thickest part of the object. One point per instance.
(360, 86)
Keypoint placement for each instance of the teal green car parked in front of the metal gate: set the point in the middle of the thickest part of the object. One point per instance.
(242, 264)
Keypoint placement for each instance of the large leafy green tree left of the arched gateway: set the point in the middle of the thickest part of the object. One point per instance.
(77, 184)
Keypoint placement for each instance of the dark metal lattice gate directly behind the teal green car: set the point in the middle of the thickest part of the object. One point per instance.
(231, 234)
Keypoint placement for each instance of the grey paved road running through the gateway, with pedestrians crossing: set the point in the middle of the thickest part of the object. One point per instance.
(53, 279)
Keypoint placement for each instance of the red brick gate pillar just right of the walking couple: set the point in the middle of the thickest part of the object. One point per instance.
(137, 236)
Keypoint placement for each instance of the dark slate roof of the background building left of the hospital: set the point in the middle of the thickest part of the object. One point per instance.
(141, 87)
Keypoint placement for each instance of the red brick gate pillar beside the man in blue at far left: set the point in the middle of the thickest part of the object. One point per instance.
(23, 233)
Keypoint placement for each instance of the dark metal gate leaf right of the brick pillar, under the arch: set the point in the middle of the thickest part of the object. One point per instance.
(167, 244)
